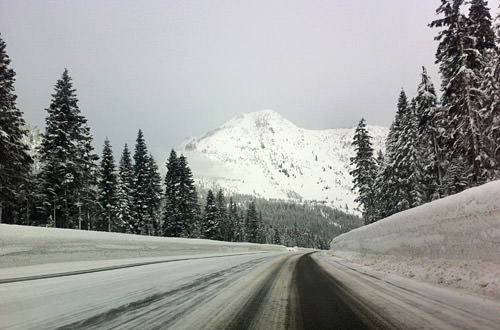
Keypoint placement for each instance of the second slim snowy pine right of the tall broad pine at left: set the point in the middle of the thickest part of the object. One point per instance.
(124, 198)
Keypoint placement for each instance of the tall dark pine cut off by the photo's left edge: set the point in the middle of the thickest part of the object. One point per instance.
(14, 157)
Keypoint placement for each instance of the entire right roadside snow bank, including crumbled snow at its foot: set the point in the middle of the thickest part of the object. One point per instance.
(452, 242)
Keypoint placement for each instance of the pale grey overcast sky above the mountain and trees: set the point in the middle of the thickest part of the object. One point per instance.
(178, 69)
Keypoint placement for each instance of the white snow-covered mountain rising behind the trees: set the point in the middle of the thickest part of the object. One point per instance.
(263, 154)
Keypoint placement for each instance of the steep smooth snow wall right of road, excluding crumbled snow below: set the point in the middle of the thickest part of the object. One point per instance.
(463, 226)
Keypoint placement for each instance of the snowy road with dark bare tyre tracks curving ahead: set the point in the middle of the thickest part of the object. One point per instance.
(251, 291)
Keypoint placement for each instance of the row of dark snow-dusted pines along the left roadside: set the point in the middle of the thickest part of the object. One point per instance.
(71, 189)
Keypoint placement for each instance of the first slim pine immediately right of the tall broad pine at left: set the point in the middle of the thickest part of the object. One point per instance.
(107, 191)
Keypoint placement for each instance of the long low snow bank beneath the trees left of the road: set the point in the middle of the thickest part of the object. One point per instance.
(25, 245)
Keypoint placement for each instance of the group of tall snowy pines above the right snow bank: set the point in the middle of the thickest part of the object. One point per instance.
(437, 147)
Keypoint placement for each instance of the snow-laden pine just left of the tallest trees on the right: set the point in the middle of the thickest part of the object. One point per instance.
(431, 130)
